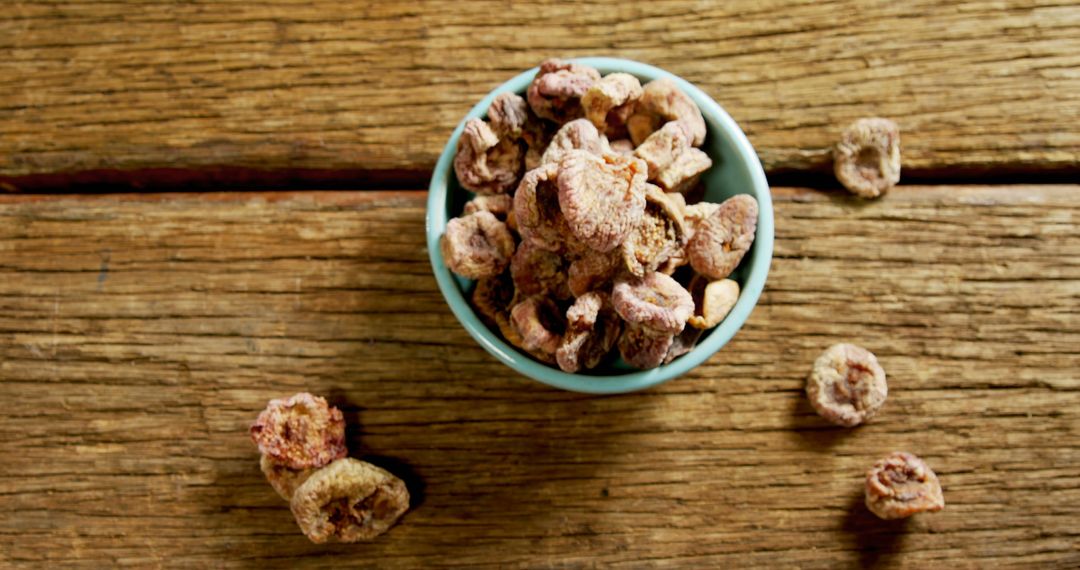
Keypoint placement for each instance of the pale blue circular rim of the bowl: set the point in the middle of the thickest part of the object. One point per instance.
(631, 382)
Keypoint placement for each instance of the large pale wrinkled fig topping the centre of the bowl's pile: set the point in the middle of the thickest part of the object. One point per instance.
(602, 198)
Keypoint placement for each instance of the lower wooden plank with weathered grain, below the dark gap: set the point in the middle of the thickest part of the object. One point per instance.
(141, 336)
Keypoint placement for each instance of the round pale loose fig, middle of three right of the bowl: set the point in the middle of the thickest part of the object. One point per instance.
(847, 386)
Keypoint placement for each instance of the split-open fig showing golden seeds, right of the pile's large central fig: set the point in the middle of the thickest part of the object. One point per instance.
(659, 238)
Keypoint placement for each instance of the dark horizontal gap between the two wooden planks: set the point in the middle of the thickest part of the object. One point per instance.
(233, 179)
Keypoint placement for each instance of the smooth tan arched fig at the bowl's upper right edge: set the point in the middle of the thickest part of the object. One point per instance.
(663, 102)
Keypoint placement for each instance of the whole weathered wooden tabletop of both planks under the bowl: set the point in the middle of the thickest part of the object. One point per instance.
(143, 331)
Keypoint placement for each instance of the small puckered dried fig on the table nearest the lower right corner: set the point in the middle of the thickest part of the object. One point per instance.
(901, 485)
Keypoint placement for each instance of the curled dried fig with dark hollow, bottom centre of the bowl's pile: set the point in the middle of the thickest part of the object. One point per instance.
(592, 330)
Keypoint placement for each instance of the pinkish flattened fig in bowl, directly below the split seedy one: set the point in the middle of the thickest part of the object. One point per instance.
(656, 302)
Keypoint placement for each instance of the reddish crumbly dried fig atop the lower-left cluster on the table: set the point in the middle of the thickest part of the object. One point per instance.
(301, 432)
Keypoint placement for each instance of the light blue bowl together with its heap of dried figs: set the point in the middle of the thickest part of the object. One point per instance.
(600, 225)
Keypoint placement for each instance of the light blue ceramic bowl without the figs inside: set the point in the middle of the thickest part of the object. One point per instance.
(736, 170)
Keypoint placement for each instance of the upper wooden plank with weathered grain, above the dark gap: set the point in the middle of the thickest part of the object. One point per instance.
(121, 86)
